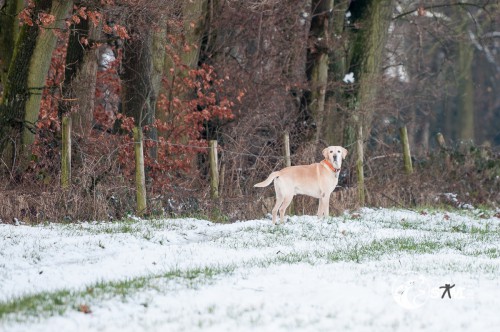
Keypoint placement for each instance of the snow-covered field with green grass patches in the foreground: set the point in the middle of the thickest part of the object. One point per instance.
(372, 270)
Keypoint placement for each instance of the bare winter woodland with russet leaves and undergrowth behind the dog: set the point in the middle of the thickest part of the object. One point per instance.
(244, 73)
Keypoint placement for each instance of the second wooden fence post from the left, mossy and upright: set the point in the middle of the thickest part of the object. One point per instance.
(140, 177)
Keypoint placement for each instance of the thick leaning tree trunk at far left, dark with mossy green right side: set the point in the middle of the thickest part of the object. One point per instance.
(25, 82)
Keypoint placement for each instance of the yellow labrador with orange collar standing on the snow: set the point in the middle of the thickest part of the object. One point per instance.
(317, 180)
